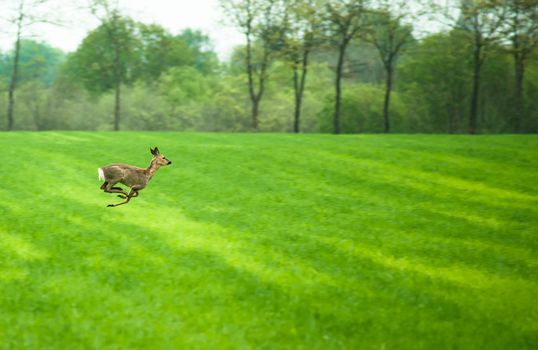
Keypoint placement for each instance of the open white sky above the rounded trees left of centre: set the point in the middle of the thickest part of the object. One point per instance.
(204, 15)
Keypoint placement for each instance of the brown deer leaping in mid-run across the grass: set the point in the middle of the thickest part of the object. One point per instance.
(131, 176)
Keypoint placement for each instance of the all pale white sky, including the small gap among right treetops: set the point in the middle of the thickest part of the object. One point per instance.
(76, 19)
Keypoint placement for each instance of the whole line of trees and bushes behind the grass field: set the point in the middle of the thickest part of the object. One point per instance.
(310, 66)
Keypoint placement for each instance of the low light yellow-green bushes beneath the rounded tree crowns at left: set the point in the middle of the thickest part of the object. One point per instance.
(182, 99)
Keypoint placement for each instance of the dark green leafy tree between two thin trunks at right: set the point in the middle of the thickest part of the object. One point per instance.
(436, 82)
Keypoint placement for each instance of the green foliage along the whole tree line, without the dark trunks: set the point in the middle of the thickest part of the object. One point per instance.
(175, 81)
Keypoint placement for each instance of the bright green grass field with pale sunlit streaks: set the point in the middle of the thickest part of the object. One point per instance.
(269, 241)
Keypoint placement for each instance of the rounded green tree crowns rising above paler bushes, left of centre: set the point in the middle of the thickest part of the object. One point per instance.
(146, 52)
